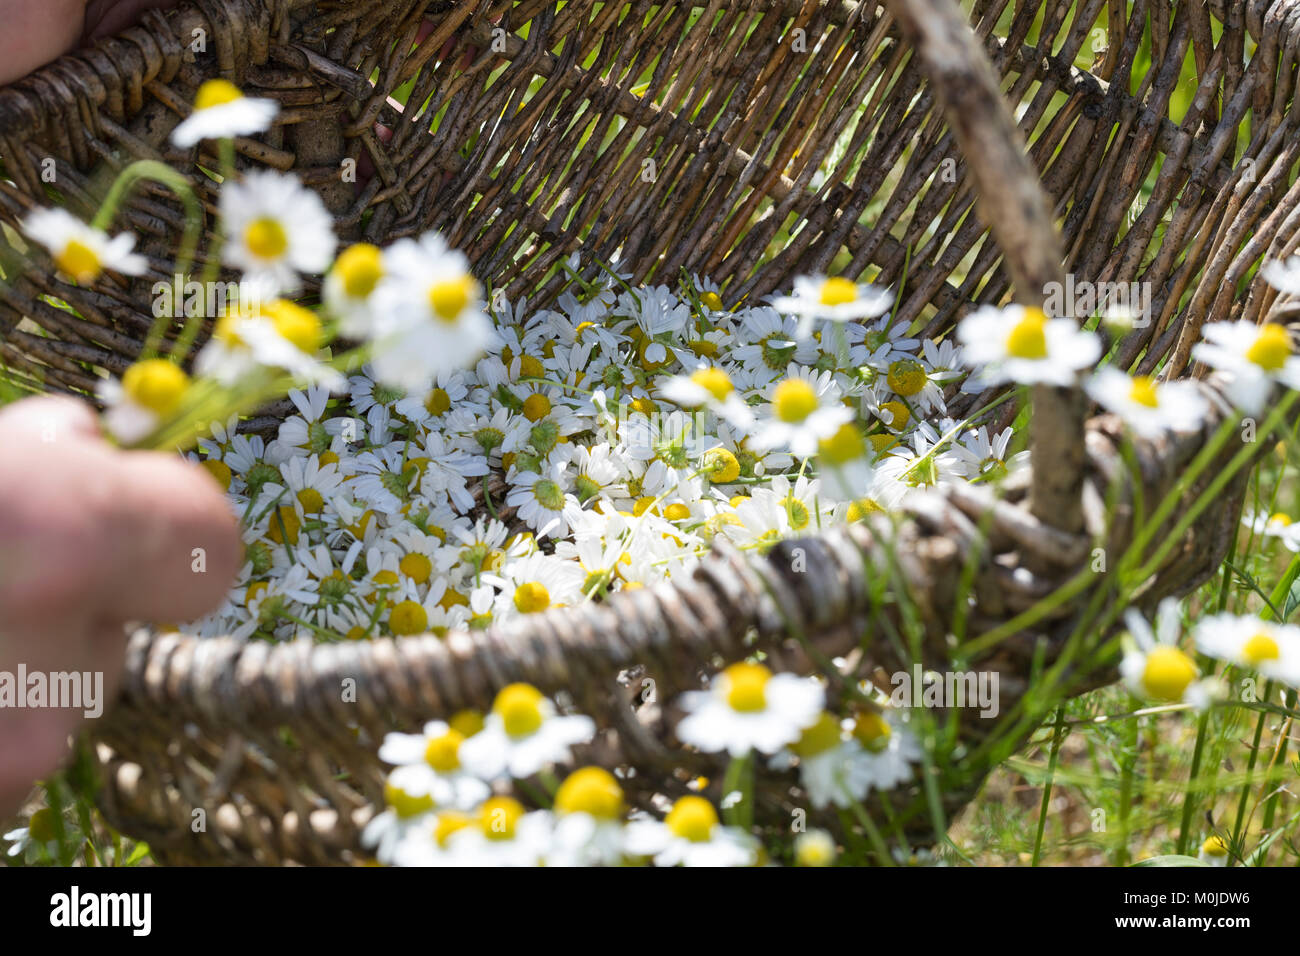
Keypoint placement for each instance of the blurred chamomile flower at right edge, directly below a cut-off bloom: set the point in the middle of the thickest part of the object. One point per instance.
(1255, 357)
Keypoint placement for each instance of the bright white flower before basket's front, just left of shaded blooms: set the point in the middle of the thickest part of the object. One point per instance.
(747, 708)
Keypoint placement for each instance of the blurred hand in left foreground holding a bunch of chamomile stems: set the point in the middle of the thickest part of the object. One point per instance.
(92, 538)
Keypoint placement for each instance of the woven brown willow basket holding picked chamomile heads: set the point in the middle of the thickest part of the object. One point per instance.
(531, 146)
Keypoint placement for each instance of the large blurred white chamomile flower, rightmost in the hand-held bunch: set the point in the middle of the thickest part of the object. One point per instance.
(431, 314)
